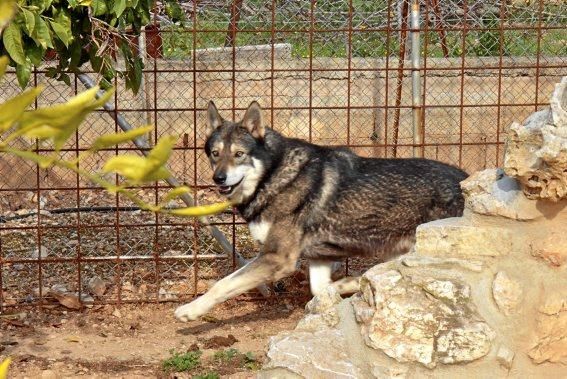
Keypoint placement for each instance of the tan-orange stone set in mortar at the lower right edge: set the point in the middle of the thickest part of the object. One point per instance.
(551, 340)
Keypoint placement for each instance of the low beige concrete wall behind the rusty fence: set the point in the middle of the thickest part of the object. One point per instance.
(174, 91)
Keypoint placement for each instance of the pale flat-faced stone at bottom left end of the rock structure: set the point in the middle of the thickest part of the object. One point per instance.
(320, 354)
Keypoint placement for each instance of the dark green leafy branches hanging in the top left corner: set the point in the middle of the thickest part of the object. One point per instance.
(78, 31)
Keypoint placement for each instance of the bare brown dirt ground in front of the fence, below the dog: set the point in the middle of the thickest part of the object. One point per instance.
(132, 341)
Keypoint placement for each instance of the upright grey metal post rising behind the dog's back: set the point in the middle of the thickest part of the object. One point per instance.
(416, 80)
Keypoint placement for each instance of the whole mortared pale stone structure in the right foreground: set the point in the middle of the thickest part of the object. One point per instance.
(482, 295)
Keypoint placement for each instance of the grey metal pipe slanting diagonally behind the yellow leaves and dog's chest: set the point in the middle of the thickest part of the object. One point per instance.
(187, 199)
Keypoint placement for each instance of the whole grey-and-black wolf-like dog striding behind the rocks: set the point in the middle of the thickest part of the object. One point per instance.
(319, 203)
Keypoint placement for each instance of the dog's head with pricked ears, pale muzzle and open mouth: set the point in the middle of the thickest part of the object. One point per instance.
(234, 150)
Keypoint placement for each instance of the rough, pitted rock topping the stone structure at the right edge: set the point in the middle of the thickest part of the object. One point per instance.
(536, 152)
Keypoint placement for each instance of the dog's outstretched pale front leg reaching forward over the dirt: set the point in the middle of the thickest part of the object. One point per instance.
(263, 269)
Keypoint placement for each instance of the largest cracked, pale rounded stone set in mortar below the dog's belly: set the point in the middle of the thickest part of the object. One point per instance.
(424, 320)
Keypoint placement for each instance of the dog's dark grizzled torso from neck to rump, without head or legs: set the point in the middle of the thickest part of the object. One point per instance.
(349, 205)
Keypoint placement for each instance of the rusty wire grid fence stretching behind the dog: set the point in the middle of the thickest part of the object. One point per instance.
(333, 72)
